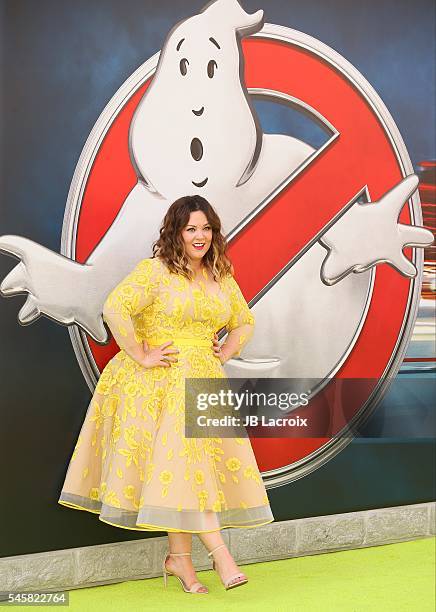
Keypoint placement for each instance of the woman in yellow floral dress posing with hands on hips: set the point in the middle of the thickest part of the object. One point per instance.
(132, 464)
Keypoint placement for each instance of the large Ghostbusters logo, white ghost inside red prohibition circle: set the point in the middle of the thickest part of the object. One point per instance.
(326, 237)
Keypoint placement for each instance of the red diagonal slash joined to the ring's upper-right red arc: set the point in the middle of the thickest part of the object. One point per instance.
(362, 155)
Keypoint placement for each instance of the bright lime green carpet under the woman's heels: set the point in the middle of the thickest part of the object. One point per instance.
(389, 577)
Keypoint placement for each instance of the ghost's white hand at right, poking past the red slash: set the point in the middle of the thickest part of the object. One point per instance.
(368, 234)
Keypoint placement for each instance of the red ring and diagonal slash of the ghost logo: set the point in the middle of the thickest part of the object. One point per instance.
(363, 154)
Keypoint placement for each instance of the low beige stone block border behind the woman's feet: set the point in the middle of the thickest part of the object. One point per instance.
(135, 560)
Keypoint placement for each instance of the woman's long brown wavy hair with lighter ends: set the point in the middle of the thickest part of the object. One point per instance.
(170, 247)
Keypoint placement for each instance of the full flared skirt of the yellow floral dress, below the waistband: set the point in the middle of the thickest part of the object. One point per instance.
(134, 467)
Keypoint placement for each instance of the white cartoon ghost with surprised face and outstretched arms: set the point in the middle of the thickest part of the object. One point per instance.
(195, 131)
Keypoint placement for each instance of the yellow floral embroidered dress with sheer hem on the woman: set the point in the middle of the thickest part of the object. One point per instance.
(132, 464)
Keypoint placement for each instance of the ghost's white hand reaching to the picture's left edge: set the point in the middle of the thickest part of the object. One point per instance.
(57, 286)
